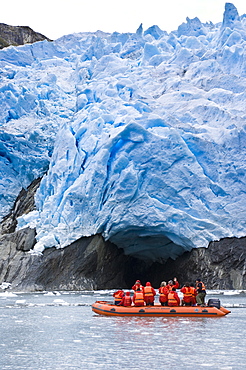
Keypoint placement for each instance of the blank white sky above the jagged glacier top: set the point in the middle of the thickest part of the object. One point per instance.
(55, 18)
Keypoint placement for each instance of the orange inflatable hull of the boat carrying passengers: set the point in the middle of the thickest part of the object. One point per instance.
(109, 309)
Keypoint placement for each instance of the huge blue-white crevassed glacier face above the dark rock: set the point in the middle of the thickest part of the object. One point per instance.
(141, 136)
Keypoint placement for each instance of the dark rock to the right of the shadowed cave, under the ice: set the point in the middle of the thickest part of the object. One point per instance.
(221, 266)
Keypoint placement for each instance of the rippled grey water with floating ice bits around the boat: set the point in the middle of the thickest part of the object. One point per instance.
(45, 331)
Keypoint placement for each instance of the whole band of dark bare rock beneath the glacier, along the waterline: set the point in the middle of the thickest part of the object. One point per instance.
(91, 263)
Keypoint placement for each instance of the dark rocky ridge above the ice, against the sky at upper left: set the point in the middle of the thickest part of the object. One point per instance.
(18, 35)
